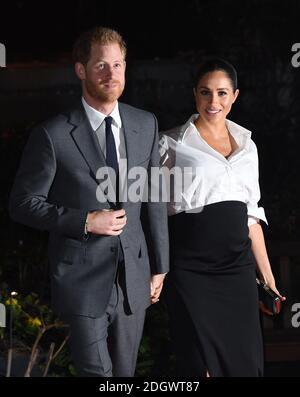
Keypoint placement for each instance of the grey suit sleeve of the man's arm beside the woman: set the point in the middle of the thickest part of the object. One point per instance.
(158, 218)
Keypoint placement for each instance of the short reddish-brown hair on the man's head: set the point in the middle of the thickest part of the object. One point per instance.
(99, 35)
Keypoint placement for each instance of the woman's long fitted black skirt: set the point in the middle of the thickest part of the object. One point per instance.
(212, 294)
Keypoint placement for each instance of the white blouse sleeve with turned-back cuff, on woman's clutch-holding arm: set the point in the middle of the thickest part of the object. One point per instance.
(255, 213)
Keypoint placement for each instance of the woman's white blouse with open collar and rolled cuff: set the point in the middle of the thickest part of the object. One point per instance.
(203, 176)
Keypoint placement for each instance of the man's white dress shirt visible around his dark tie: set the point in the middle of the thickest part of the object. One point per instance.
(97, 122)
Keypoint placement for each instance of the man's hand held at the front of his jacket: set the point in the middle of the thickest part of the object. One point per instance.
(109, 223)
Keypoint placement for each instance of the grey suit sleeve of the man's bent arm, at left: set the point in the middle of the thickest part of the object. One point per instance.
(29, 202)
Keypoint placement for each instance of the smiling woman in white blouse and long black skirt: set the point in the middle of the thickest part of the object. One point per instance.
(215, 234)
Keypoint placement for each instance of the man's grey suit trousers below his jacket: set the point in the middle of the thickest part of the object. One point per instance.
(108, 346)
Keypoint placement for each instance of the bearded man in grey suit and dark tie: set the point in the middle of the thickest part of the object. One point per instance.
(100, 270)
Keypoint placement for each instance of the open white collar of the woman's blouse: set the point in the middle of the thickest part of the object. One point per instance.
(240, 134)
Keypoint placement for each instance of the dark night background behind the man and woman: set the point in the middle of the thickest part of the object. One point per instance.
(165, 41)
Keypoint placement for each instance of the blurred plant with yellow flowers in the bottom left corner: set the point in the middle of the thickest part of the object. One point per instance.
(34, 330)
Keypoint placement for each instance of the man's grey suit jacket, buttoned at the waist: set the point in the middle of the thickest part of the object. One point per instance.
(55, 187)
